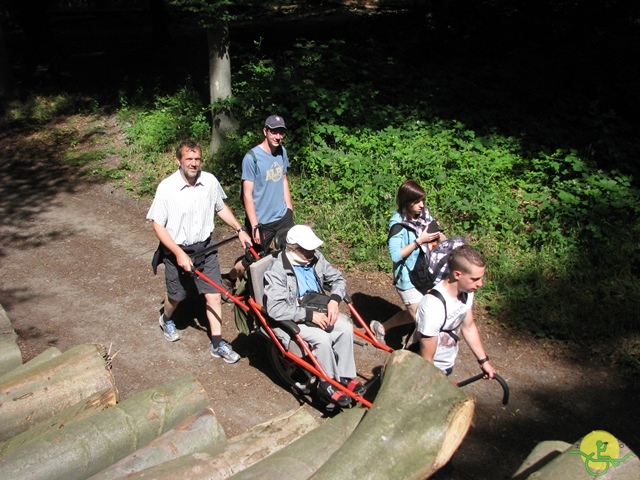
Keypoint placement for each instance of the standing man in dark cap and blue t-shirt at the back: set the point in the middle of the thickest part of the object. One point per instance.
(265, 190)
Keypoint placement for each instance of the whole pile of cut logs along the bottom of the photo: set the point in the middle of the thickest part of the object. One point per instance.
(61, 418)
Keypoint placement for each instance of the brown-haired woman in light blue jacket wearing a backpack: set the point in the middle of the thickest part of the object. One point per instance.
(411, 228)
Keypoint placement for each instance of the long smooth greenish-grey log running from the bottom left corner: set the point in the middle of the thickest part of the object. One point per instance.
(88, 446)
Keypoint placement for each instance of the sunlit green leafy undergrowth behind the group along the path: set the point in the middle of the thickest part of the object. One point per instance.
(558, 230)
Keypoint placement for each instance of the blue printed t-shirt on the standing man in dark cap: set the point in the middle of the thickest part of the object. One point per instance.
(267, 174)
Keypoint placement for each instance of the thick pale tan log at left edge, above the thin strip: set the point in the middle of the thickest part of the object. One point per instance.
(55, 385)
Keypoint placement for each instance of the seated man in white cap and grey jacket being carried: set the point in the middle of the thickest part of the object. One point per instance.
(294, 291)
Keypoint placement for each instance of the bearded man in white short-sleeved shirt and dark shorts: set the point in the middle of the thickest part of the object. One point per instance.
(182, 213)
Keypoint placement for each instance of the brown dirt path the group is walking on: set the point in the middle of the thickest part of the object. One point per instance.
(75, 268)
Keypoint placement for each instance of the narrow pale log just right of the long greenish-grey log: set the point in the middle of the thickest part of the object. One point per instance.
(197, 433)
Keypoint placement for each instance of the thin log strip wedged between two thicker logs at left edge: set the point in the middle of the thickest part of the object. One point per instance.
(61, 420)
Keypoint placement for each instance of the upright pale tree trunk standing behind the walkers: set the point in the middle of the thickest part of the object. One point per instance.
(224, 122)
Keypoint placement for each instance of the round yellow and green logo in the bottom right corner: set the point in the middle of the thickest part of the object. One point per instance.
(600, 450)
